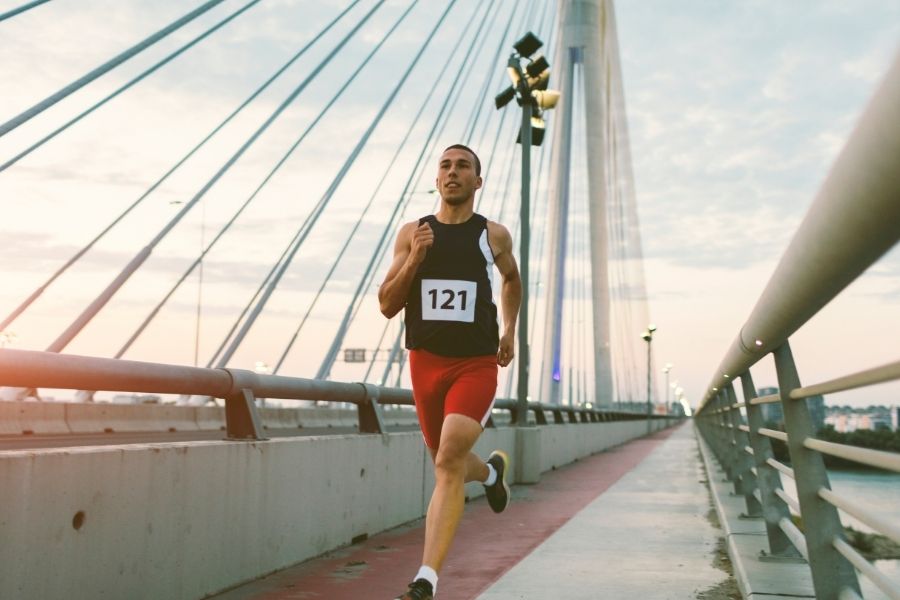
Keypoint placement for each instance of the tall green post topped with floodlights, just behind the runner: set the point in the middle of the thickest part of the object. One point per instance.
(529, 89)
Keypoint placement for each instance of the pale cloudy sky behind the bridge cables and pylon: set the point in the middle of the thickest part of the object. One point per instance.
(736, 112)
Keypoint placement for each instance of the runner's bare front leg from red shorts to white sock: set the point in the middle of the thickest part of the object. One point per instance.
(454, 464)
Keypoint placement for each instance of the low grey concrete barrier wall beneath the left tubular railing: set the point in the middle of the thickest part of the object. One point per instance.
(186, 520)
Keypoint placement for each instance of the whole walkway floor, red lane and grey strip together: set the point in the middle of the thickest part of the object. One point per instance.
(627, 523)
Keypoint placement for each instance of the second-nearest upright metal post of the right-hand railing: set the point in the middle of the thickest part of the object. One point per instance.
(768, 479)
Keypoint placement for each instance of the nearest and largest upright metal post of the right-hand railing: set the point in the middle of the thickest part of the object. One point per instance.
(831, 572)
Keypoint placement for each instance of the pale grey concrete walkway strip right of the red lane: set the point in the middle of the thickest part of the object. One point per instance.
(647, 536)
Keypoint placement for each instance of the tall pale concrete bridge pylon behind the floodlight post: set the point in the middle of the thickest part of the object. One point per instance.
(590, 70)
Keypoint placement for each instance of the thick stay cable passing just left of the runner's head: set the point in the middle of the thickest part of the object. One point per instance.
(416, 174)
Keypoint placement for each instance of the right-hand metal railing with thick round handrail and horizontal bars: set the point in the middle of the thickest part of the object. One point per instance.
(853, 221)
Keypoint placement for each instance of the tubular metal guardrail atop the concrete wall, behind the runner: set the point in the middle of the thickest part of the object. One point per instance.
(239, 389)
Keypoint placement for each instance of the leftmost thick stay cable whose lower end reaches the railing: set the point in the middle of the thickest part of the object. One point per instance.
(63, 340)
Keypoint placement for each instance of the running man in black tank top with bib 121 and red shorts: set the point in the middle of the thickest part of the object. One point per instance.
(442, 274)
